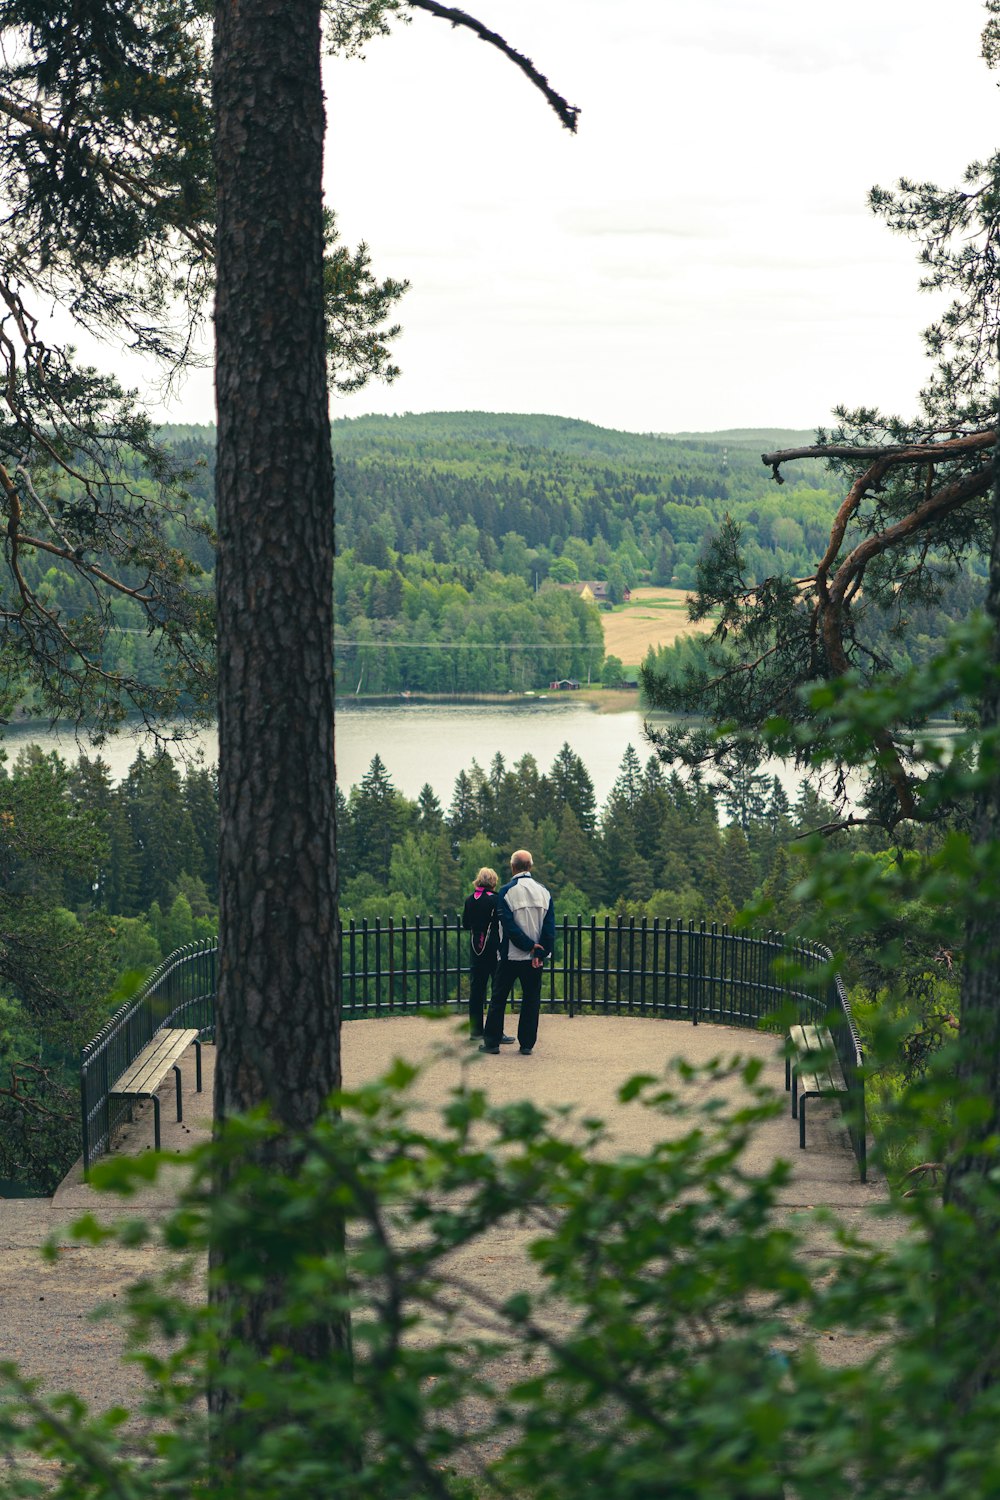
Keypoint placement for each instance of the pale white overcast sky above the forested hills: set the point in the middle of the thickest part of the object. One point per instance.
(701, 254)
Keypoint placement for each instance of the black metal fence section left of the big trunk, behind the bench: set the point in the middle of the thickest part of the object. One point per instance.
(182, 992)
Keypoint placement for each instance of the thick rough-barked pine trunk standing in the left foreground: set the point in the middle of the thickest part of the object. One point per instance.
(278, 1001)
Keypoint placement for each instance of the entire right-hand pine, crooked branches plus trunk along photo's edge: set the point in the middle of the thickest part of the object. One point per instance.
(795, 664)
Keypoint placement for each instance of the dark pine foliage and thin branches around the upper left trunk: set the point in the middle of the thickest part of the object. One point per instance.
(107, 191)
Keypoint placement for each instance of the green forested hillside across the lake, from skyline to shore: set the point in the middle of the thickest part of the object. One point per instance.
(455, 529)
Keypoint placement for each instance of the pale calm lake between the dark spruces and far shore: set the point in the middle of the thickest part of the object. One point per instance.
(433, 743)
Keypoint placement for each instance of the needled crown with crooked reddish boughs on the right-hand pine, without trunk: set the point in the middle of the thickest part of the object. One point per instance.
(915, 517)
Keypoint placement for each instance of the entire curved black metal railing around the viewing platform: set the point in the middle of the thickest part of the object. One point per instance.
(627, 967)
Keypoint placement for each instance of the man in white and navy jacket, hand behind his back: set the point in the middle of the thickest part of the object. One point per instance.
(528, 934)
